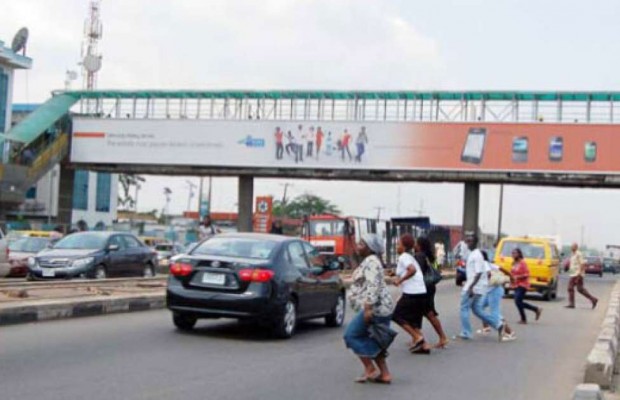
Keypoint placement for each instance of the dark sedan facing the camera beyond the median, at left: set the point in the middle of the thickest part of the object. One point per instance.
(94, 255)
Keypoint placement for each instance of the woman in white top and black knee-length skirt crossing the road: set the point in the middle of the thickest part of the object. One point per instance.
(413, 303)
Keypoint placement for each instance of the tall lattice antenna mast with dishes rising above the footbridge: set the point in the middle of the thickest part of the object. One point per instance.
(91, 59)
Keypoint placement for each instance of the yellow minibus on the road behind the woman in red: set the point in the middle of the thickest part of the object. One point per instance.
(542, 259)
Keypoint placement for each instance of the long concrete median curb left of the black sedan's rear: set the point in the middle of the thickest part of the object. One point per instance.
(60, 309)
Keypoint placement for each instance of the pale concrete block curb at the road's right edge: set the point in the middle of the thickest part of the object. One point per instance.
(602, 362)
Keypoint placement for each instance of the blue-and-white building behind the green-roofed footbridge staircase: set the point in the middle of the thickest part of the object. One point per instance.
(95, 195)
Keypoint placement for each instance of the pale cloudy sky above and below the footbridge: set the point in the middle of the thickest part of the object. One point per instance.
(340, 45)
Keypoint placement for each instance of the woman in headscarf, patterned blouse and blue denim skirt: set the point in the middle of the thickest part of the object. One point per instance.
(371, 299)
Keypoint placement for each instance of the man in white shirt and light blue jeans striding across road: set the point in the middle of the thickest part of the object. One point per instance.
(474, 289)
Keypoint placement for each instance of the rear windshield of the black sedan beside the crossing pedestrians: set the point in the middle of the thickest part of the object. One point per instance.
(236, 247)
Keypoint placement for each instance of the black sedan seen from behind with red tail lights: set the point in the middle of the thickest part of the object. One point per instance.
(273, 280)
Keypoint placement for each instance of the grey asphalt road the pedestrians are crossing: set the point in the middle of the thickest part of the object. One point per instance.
(141, 356)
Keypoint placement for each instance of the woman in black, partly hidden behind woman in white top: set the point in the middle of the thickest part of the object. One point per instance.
(425, 256)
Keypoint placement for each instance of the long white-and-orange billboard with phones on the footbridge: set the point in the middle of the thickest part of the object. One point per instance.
(560, 148)
